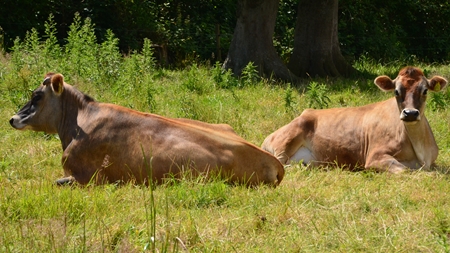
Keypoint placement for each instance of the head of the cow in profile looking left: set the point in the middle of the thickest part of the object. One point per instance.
(43, 111)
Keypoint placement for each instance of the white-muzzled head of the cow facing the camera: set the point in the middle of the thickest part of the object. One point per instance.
(411, 89)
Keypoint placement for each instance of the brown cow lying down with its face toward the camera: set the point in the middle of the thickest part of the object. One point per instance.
(392, 135)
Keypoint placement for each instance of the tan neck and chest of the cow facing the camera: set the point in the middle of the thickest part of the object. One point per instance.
(422, 140)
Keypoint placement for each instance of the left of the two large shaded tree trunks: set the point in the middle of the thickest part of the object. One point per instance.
(252, 40)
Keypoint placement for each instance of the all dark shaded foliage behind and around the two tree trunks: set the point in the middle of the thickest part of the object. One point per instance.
(190, 30)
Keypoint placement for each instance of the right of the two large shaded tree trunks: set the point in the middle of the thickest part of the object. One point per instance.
(316, 45)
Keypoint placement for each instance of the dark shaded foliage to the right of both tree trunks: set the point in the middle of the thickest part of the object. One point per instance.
(395, 29)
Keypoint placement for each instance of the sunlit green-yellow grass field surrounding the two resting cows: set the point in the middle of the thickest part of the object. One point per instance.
(313, 210)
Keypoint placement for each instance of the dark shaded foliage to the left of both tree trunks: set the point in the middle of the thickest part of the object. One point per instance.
(187, 29)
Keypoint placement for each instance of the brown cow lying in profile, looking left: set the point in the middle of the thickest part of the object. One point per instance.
(106, 143)
